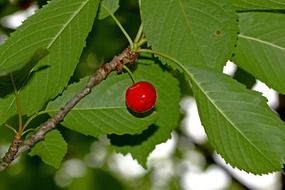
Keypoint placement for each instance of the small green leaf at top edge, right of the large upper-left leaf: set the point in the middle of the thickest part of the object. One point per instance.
(107, 7)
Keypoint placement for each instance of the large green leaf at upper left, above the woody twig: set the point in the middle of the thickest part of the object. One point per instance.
(60, 27)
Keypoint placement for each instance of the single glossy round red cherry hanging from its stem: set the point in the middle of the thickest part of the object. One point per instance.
(141, 97)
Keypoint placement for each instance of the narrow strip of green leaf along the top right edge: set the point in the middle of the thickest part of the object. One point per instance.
(244, 5)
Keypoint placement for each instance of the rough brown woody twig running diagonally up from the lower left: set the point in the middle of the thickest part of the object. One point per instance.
(16, 148)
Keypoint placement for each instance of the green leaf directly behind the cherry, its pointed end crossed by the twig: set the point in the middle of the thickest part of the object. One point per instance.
(103, 111)
